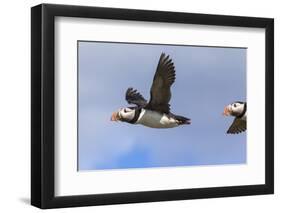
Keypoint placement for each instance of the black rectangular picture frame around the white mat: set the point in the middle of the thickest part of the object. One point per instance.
(43, 102)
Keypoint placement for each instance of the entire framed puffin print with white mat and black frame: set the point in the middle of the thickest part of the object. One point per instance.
(139, 106)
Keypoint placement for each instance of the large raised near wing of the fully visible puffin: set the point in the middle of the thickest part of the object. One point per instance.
(160, 92)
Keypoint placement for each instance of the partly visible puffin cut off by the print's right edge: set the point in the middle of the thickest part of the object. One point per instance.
(237, 109)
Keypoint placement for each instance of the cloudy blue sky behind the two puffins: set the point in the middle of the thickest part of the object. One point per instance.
(207, 79)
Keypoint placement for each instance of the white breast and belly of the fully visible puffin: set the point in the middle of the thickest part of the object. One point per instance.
(155, 119)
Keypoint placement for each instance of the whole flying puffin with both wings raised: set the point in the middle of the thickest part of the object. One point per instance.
(155, 113)
